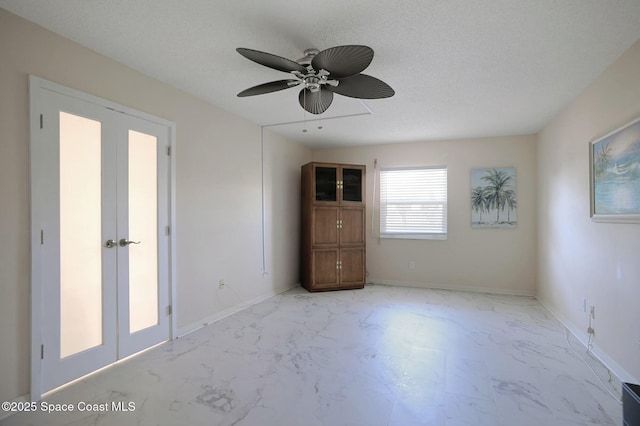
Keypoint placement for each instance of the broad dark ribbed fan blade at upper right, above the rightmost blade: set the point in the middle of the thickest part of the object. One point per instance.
(343, 61)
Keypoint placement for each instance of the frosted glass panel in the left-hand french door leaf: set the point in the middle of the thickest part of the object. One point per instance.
(80, 234)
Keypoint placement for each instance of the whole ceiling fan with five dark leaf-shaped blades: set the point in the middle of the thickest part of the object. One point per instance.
(321, 74)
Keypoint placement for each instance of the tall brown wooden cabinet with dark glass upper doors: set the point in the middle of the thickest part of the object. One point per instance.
(333, 226)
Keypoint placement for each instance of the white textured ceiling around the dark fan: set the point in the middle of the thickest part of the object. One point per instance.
(460, 68)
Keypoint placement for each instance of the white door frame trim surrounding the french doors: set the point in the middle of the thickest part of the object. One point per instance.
(38, 165)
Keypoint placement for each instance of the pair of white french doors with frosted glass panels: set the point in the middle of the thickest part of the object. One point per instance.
(104, 251)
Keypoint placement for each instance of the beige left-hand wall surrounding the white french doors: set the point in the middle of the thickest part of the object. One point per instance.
(218, 178)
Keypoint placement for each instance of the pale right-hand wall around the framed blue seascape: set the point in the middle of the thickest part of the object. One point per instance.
(579, 258)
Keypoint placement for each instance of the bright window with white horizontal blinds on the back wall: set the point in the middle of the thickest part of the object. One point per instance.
(413, 203)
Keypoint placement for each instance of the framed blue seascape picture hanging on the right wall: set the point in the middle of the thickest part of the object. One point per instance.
(614, 161)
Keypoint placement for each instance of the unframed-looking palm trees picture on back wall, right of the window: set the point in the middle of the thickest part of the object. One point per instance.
(494, 198)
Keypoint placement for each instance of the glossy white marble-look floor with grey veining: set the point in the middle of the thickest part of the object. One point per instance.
(382, 355)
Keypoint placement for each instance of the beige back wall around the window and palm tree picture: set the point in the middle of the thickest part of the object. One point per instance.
(495, 260)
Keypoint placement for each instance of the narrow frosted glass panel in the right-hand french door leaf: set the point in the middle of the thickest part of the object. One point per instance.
(143, 227)
